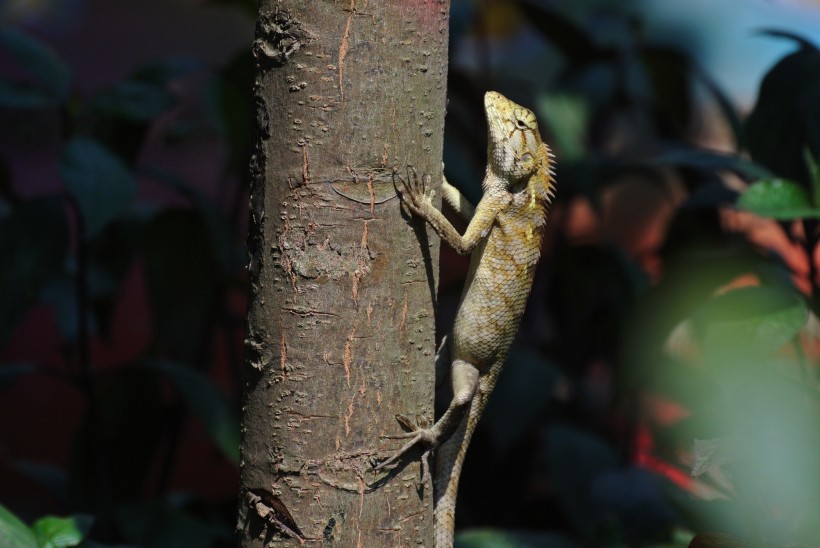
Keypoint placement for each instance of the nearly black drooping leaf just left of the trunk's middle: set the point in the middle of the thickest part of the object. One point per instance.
(183, 273)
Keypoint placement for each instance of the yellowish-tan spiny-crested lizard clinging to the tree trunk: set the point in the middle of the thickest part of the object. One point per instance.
(503, 236)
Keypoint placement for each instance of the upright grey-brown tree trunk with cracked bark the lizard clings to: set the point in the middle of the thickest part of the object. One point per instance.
(340, 327)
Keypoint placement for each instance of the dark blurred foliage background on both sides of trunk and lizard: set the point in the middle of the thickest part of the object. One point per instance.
(662, 391)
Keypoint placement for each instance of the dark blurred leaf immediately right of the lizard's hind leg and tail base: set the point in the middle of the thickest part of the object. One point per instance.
(520, 397)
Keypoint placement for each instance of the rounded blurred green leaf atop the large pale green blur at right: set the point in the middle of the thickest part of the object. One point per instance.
(750, 321)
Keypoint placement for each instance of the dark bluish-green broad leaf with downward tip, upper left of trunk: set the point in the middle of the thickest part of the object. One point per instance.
(99, 181)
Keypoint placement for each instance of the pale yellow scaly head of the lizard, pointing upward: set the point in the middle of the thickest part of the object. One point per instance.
(514, 150)
